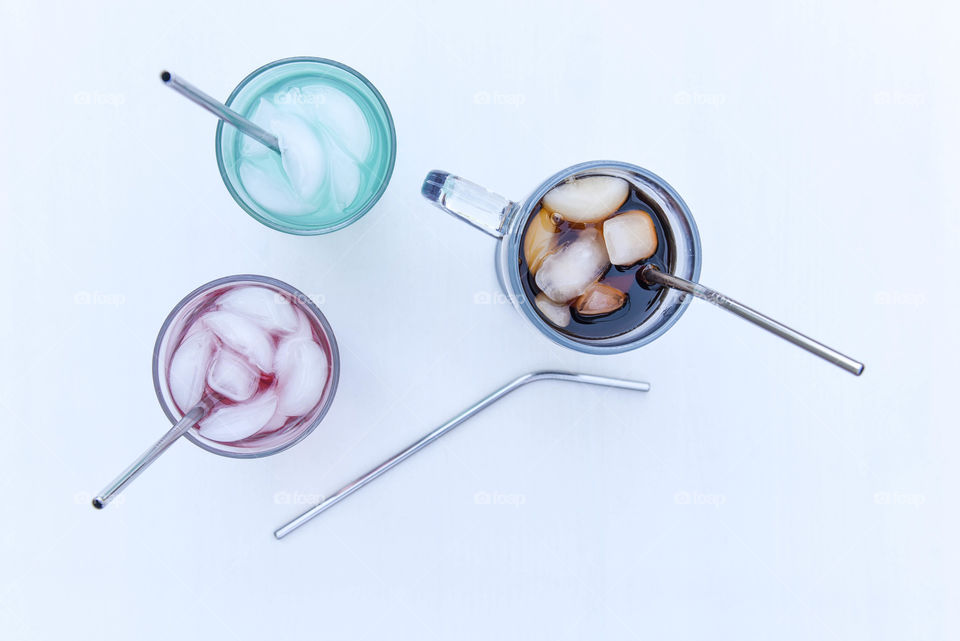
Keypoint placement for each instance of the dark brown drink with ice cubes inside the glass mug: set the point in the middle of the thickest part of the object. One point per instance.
(583, 247)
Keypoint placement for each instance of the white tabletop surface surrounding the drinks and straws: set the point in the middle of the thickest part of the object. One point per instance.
(755, 492)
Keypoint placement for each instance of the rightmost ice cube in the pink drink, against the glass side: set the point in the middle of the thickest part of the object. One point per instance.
(301, 369)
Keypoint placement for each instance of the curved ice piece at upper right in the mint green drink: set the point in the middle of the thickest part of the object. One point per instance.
(340, 115)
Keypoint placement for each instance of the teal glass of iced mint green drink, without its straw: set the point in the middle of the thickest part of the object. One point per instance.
(338, 145)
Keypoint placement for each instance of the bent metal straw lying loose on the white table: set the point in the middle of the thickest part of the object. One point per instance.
(474, 409)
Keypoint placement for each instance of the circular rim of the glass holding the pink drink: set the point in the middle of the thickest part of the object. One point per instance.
(303, 300)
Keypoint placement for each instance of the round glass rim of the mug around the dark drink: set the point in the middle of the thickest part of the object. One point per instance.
(512, 241)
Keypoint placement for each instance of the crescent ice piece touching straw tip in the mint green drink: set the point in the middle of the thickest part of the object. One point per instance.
(302, 154)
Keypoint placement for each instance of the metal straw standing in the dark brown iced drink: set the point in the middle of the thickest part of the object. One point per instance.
(652, 275)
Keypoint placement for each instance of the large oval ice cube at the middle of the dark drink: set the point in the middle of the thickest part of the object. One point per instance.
(566, 273)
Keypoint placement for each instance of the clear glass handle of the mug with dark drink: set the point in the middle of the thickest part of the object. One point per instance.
(469, 201)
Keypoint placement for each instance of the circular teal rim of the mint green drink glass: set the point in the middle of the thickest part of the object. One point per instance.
(388, 174)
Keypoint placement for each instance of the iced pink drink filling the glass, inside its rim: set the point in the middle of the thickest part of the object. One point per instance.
(257, 356)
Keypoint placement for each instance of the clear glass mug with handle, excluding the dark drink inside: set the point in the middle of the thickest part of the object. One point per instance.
(506, 221)
